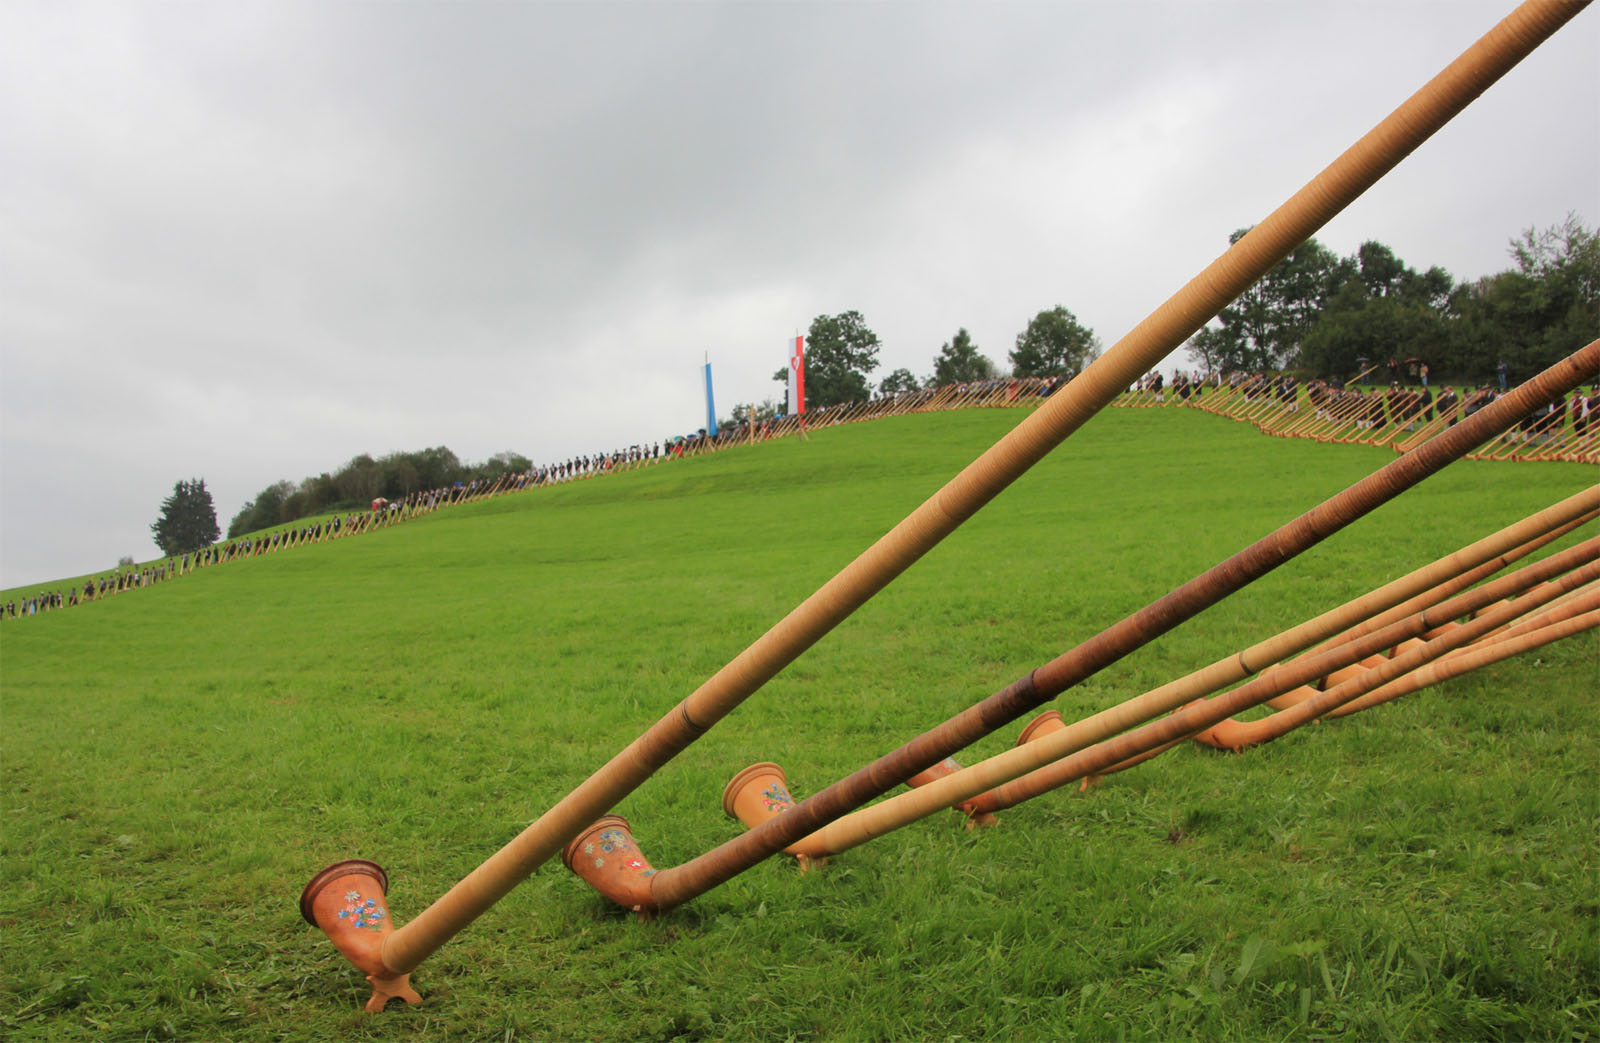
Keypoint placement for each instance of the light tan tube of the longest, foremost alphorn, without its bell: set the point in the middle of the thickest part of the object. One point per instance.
(1063, 414)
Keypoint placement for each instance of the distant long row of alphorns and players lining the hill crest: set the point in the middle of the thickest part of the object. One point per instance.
(1399, 418)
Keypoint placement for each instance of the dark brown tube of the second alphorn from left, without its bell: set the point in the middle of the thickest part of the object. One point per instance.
(676, 885)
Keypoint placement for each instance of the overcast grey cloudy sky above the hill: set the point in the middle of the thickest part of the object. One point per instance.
(247, 242)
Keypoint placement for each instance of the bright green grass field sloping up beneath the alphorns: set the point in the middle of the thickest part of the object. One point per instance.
(178, 762)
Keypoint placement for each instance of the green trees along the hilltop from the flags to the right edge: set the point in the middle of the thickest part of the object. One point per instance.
(1314, 314)
